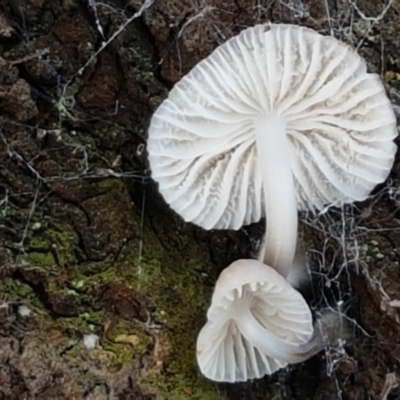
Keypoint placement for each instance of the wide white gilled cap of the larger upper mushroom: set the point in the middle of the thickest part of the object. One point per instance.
(340, 126)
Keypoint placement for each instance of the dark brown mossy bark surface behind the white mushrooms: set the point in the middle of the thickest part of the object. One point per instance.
(87, 245)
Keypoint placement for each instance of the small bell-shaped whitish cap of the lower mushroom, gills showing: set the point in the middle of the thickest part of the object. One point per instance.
(224, 353)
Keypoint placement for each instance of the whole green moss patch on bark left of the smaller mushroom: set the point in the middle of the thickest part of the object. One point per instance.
(171, 282)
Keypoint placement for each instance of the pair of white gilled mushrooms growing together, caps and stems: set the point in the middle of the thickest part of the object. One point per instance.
(277, 119)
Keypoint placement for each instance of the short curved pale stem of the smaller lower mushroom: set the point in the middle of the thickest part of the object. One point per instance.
(272, 345)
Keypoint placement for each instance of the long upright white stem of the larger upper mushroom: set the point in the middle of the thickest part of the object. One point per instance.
(279, 193)
